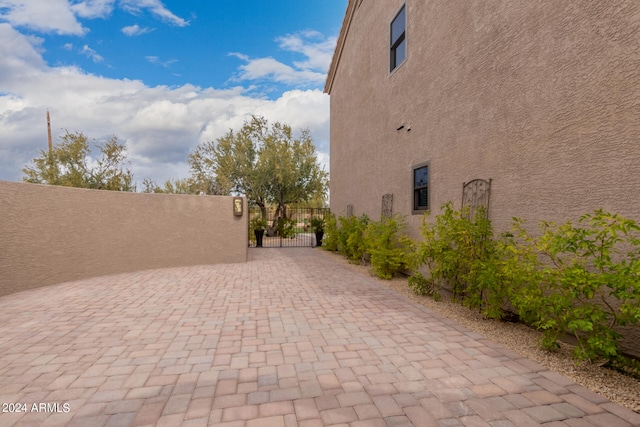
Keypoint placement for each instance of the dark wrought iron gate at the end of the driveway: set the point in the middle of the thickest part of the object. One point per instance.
(291, 230)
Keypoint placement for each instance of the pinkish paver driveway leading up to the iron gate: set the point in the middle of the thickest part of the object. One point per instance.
(289, 338)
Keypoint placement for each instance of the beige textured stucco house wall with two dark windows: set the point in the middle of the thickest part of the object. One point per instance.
(542, 97)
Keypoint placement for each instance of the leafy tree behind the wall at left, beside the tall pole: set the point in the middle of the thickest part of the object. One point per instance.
(70, 164)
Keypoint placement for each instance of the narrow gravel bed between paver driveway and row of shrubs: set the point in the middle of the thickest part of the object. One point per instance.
(523, 340)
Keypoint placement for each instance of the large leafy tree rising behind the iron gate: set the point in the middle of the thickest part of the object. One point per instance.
(265, 163)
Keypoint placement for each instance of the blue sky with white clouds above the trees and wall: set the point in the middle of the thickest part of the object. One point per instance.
(161, 75)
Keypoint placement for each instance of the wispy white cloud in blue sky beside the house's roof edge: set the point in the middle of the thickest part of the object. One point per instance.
(315, 49)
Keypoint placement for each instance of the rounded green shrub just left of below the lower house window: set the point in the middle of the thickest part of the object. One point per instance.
(387, 245)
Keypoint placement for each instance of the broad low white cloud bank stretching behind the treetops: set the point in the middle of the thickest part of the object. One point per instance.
(160, 125)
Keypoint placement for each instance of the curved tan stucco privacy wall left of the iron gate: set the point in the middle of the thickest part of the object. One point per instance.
(54, 234)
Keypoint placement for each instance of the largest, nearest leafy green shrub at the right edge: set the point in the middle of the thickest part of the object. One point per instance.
(581, 279)
